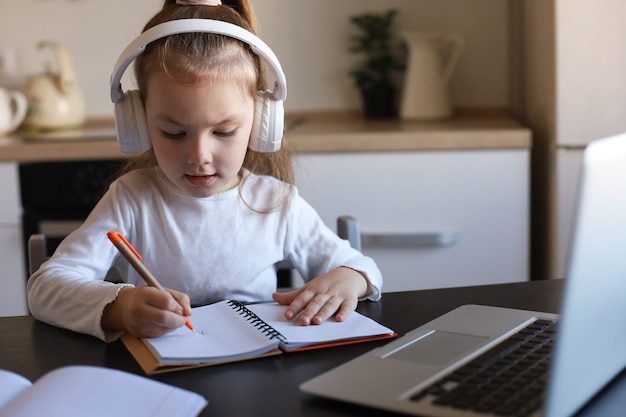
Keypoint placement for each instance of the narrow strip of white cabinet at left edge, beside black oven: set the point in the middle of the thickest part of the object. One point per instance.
(12, 282)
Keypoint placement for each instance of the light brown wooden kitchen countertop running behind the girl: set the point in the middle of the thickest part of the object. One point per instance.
(306, 133)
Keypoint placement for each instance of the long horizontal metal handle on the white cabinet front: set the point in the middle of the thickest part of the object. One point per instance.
(425, 239)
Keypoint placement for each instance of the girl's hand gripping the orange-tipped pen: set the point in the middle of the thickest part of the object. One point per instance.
(146, 311)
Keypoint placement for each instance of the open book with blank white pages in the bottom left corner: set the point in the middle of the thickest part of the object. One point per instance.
(78, 391)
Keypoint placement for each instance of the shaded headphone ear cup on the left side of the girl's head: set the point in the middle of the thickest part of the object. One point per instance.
(130, 122)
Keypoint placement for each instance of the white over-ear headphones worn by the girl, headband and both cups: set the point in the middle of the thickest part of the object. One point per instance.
(130, 119)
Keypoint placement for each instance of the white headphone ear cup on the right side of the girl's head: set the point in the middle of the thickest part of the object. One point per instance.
(269, 120)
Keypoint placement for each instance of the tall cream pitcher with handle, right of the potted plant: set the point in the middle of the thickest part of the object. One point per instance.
(425, 94)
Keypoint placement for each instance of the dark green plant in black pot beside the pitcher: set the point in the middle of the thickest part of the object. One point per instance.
(373, 75)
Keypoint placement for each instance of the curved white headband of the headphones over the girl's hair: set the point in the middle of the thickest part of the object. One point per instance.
(162, 30)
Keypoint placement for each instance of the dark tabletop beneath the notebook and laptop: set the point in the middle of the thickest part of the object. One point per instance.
(269, 386)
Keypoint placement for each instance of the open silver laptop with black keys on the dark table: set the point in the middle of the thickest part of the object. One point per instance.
(424, 371)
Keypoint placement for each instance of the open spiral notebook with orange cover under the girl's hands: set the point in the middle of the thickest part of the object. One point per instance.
(229, 331)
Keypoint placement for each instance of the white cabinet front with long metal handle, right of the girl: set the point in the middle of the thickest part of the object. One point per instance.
(430, 218)
